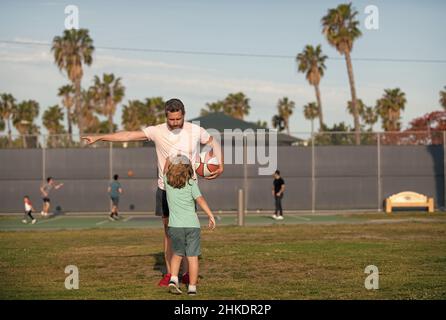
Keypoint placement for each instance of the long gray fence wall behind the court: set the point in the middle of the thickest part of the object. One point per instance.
(346, 177)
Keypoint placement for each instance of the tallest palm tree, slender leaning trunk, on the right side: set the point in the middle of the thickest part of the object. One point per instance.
(341, 30)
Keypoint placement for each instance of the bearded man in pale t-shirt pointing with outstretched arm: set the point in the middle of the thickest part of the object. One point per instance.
(171, 138)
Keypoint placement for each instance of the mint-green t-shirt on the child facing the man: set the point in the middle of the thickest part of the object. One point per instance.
(182, 204)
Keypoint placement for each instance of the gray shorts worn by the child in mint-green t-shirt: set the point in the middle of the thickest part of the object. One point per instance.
(185, 241)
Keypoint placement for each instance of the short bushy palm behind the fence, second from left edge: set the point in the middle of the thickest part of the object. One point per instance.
(23, 119)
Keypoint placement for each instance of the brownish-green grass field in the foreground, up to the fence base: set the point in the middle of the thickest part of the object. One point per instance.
(305, 257)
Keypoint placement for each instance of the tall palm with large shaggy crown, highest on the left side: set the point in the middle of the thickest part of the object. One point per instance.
(73, 49)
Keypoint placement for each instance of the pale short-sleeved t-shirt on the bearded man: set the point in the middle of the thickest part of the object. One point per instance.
(185, 141)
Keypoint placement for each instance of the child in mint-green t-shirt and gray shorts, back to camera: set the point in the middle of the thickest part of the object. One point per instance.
(184, 227)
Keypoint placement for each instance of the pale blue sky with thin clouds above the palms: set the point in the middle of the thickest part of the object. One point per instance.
(407, 30)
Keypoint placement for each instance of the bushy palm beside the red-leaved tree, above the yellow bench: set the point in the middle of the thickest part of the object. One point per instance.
(389, 108)
